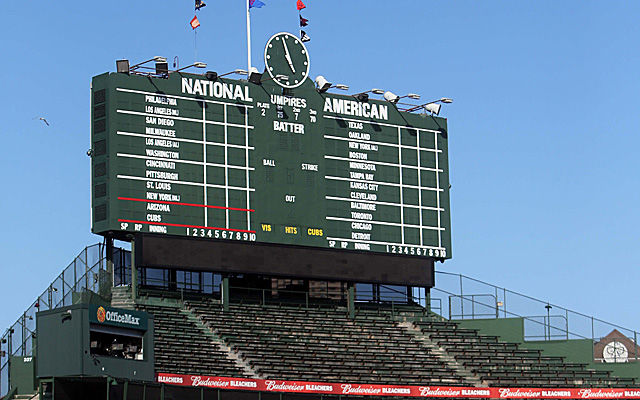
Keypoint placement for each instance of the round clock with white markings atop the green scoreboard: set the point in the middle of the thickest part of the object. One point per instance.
(286, 60)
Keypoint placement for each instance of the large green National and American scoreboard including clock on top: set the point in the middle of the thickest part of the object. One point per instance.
(274, 162)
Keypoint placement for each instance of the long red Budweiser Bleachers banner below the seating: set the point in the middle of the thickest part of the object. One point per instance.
(393, 390)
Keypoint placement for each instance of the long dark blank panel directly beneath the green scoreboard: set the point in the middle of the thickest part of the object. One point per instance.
(279, 260)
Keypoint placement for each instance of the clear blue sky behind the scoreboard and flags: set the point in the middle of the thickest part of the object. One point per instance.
(543, 129)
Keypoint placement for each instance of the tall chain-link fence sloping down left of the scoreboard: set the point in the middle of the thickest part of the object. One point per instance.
(87, 272)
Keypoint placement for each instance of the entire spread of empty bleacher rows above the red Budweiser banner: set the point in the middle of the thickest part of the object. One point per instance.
(324, 344)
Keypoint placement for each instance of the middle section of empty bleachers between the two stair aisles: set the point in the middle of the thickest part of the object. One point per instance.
(325, 345)
